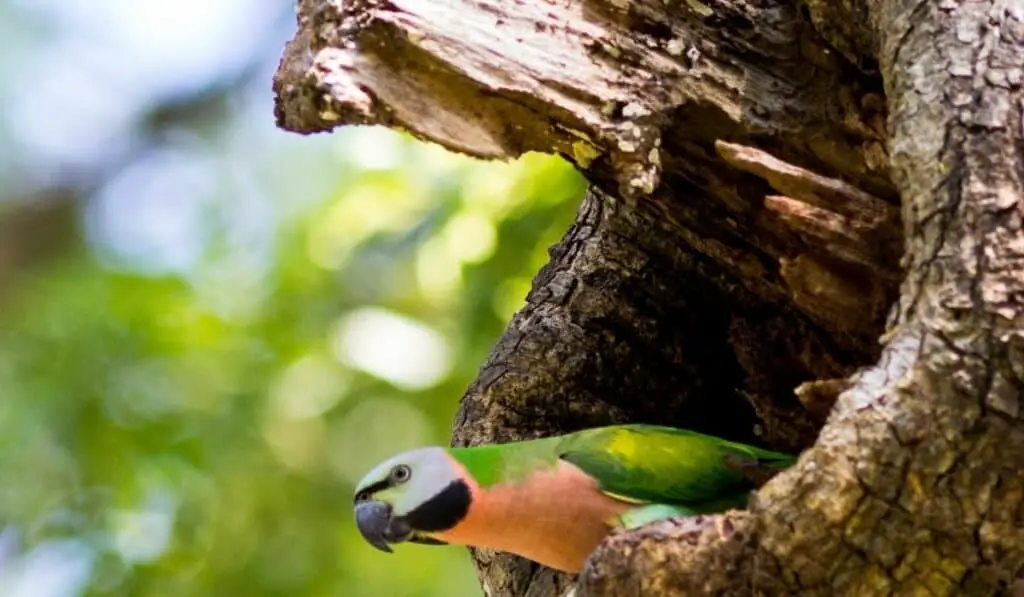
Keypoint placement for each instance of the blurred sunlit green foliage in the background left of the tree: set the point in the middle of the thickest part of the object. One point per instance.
(247, 323)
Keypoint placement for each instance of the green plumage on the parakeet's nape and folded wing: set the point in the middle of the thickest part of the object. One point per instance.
(645, 464)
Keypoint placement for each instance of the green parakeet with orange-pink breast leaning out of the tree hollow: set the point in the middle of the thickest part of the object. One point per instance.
(552, 500)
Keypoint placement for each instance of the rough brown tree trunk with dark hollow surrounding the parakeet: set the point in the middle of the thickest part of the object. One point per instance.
(776, 188)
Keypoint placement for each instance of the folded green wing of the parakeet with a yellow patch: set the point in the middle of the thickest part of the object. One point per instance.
(651, 464)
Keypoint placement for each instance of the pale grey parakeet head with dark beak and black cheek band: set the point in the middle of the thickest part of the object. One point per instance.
(411, 497)
